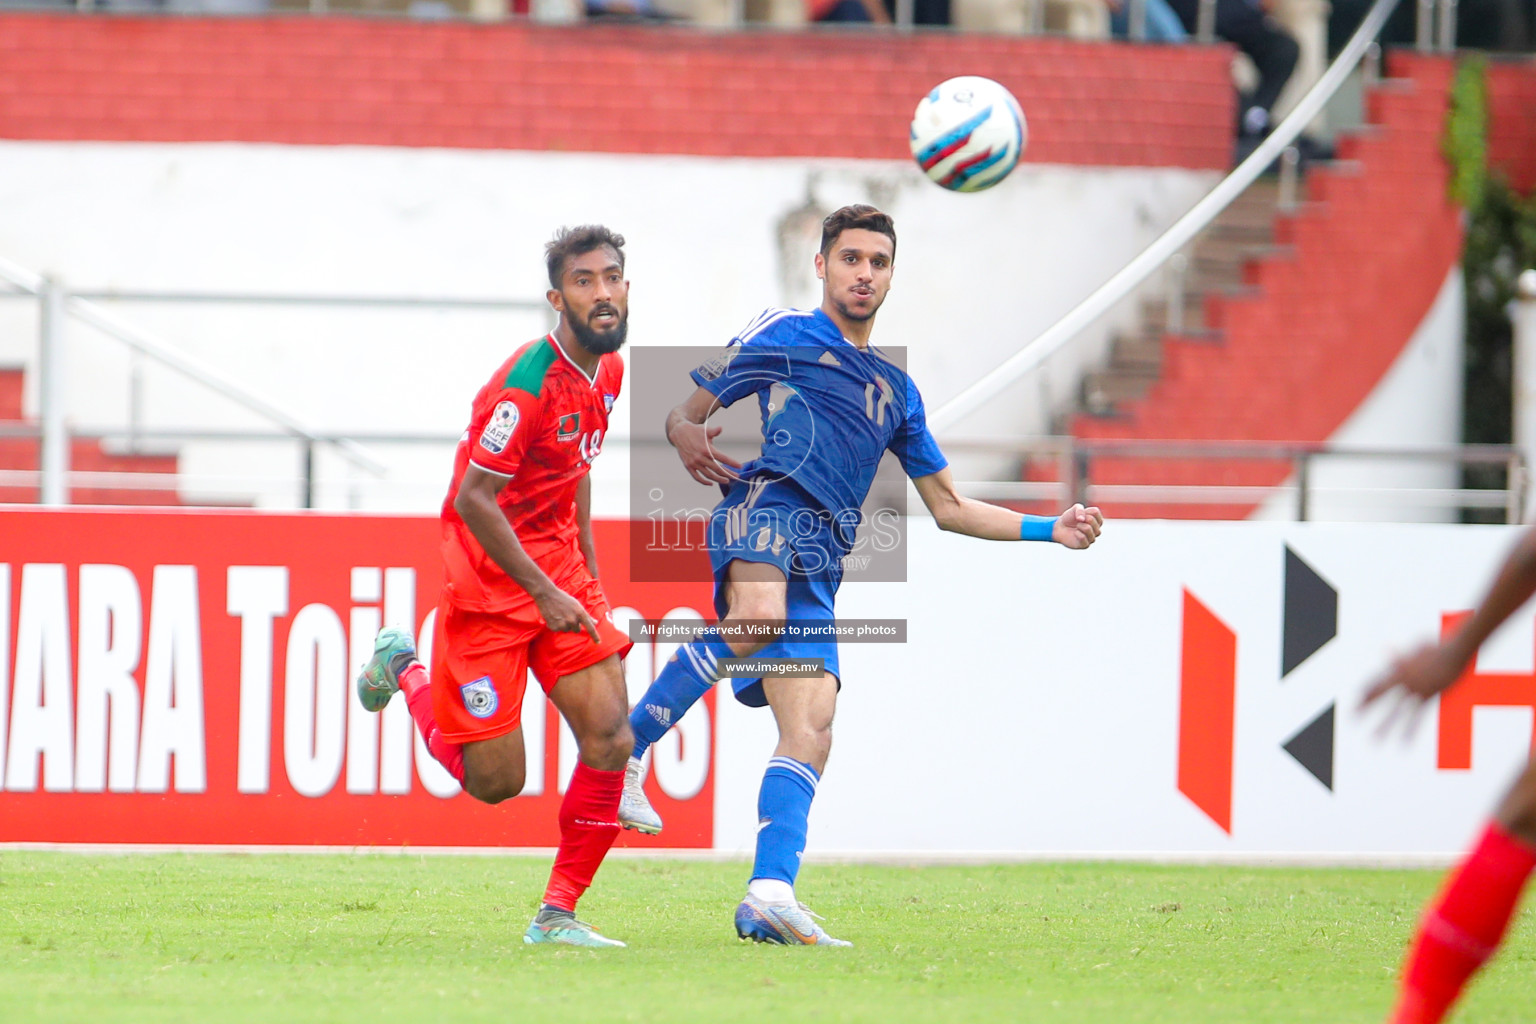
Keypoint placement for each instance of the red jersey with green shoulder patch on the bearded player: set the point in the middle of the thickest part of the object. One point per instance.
(538, 421)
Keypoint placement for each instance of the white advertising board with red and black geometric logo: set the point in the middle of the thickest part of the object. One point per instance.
(1036, 709)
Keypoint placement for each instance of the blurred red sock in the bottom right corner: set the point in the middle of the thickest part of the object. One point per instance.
(1463, 927)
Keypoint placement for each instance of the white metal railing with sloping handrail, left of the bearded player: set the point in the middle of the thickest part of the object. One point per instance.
(59, 303)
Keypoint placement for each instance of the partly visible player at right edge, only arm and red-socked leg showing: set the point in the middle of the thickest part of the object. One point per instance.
(1465, 925)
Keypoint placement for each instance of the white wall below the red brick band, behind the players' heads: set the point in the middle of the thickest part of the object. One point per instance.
(712, 243)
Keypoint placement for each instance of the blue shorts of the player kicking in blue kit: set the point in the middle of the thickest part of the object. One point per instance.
(776, 523)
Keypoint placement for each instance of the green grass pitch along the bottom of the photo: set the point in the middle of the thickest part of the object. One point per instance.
(432, 939)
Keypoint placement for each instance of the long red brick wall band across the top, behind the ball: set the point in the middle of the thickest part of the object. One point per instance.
(591, 88)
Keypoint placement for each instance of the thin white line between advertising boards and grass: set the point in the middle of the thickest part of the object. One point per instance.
(907, 859)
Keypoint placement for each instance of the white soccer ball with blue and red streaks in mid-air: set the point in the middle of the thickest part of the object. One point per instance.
(968, 134)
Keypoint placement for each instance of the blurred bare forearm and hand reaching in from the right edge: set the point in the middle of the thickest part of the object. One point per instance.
(1437, 667)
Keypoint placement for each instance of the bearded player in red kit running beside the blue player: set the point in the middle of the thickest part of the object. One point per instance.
(521, 580)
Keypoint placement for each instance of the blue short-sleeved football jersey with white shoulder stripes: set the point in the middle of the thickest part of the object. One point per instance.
(830, 409)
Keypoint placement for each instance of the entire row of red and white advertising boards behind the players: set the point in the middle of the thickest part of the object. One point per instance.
(1179, 692)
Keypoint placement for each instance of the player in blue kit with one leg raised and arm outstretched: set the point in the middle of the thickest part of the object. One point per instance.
(832, 408)
